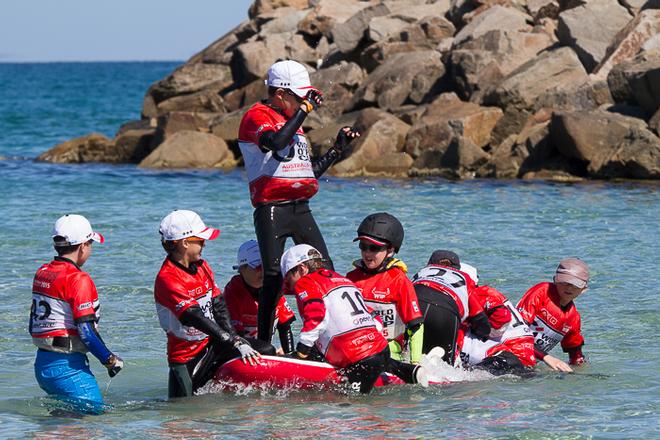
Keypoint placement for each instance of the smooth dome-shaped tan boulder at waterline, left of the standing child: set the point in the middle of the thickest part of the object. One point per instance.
(191, 149)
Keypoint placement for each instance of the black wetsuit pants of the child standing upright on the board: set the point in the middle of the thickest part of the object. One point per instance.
(273, 224)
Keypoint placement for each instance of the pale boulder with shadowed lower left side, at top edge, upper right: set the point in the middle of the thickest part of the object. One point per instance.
(589, 29)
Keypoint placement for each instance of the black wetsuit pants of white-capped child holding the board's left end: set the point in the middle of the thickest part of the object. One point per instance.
(187, 378)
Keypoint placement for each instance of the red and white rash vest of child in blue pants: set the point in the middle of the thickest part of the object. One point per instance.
(61, 294)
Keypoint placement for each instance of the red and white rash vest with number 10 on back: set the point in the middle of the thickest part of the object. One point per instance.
(335, 319)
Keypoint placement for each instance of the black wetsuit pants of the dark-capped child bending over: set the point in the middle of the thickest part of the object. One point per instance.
(441, 321)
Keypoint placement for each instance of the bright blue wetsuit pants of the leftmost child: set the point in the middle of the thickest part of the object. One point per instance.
(66, 375)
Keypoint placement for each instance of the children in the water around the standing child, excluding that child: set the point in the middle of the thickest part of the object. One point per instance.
(374, 319)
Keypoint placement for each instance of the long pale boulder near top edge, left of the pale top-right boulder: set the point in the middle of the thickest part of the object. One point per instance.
(496, 17)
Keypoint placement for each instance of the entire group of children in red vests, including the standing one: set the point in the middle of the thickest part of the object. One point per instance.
(374, 319)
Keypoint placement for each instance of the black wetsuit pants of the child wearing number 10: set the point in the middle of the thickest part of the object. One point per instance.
(363, 374)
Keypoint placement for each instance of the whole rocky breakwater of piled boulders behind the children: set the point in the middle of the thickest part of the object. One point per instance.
(556, 89)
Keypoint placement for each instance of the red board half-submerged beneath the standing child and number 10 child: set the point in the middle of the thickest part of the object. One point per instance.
(282, 372)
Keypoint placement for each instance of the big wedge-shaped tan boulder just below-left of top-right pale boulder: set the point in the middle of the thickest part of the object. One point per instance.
(550, 80)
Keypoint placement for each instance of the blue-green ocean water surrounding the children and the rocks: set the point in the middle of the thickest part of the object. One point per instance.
(514, 232)
